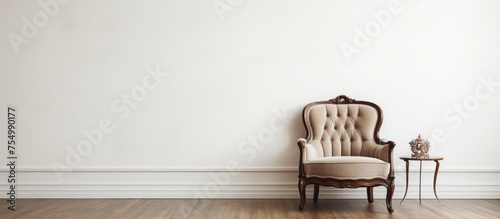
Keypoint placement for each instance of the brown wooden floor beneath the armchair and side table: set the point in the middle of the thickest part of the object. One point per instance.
(251, 208)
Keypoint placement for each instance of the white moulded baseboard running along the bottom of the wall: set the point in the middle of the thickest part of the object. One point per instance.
(248, 183)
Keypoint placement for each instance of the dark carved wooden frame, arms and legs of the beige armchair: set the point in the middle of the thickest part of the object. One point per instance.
(345, 183)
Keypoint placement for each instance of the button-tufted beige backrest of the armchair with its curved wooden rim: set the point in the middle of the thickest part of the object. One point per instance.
(342, 127)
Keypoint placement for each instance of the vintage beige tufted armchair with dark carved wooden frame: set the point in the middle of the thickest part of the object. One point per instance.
(342, 148)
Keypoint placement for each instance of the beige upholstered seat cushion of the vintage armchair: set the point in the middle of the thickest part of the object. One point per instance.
(347, 167)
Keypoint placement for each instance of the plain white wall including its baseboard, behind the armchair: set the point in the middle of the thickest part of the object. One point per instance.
(239, 70)
